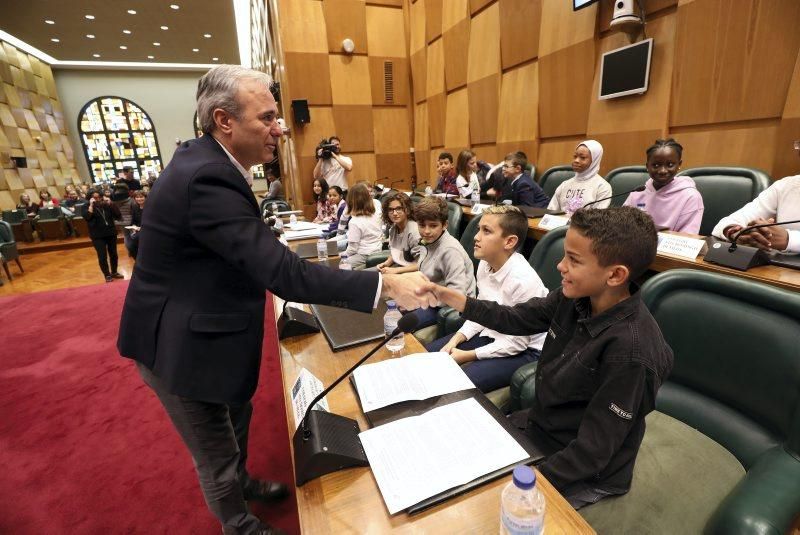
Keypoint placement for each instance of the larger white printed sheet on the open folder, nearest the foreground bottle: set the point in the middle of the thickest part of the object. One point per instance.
(418, 457)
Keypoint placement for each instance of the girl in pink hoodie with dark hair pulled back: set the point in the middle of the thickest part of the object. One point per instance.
(672, 201)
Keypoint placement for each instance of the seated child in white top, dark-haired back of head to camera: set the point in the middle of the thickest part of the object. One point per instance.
(364, 235)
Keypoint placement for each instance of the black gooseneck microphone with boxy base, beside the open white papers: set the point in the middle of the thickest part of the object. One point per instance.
(325, 442)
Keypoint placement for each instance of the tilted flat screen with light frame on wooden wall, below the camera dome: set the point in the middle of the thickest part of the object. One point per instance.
(626, 70)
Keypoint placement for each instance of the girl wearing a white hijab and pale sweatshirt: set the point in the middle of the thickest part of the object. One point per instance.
(586, 186)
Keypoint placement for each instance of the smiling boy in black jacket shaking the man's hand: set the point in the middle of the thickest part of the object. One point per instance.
(604, 357)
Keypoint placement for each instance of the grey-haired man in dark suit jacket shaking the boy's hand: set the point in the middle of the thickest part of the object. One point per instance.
(194, 313)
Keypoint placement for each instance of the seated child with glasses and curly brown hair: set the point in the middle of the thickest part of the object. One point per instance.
(404, 237)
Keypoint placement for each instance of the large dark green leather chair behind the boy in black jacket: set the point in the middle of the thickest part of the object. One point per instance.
(721, 454)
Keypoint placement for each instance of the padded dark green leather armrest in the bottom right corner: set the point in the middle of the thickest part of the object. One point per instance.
(765, 502)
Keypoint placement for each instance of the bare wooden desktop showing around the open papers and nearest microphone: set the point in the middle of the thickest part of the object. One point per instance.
(349, 501)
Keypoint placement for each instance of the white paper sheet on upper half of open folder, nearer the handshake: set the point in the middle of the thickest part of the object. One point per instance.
(417, 376)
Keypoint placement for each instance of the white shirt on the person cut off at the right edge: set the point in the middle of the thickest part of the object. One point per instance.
(780, 201)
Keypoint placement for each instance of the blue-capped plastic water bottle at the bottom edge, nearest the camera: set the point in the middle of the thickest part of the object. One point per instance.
(522, 505)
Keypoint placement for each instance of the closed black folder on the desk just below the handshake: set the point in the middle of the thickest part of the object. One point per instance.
(345, 328)
